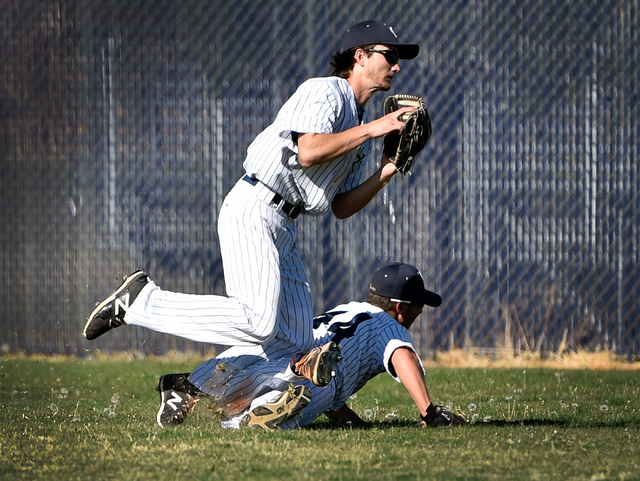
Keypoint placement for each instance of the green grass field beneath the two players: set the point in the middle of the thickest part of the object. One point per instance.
(95, 419)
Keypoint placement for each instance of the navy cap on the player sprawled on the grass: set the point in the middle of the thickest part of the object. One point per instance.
(402, 283)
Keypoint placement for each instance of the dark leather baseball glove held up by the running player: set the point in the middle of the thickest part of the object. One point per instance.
(402, 148)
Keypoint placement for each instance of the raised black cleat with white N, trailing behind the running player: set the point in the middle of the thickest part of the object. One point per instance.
(109, 314)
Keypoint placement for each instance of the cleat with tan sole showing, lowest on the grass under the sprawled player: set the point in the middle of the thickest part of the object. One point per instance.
(272, 415)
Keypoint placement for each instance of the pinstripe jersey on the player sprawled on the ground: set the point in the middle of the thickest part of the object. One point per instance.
(368, 337)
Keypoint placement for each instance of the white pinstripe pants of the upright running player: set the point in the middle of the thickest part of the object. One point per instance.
(269, 301)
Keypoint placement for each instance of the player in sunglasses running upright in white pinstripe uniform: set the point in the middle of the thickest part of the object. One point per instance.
(309, 160)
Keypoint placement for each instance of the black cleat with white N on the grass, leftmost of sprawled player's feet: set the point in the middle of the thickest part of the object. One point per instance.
(177, 397)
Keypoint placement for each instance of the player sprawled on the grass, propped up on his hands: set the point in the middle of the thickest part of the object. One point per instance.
(374, 337)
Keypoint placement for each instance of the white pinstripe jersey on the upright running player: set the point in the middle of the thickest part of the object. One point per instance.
(320, 105)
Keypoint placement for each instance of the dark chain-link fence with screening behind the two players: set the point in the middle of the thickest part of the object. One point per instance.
(124, 123)
